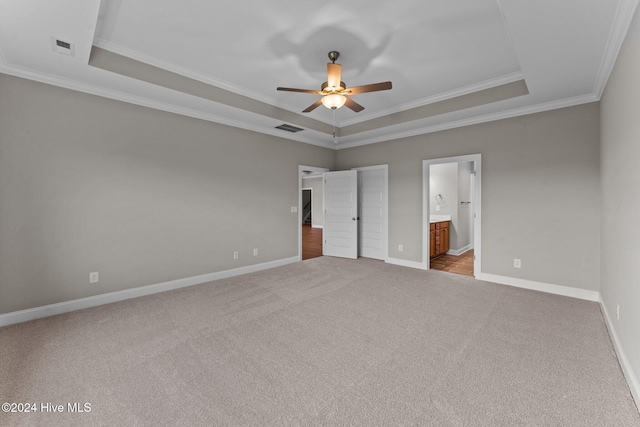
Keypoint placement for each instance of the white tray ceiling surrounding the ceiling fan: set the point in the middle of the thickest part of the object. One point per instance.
(431, 50)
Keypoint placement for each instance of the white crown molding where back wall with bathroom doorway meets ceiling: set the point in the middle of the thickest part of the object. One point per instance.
(523, 111)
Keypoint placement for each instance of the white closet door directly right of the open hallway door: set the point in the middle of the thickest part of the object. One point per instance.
(372, 183)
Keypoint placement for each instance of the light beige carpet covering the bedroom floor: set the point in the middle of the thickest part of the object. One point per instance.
(323, 342)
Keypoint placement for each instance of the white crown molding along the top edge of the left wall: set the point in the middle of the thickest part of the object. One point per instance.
(150, 103)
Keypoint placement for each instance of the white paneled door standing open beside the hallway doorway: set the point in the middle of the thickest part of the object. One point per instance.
(340, 232)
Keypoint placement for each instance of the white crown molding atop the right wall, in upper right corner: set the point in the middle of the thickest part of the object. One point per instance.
(621, 22)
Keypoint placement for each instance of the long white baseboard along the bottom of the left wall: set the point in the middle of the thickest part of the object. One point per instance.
(93, 301)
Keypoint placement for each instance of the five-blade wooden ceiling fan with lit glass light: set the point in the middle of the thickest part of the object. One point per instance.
(335, 92)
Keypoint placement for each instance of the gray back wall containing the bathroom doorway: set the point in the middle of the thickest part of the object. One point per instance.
(540, 192)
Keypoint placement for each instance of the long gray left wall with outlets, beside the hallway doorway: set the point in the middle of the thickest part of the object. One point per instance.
(139, 195)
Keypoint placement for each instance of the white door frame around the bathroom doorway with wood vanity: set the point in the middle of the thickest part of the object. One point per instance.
(476, 195)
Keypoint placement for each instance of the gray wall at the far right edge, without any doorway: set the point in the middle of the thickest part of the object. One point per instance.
(620, 151)
